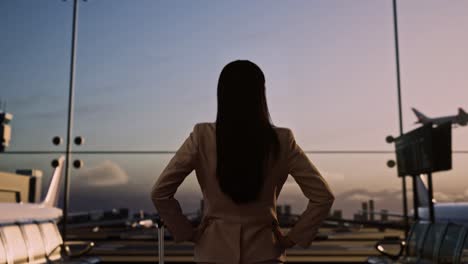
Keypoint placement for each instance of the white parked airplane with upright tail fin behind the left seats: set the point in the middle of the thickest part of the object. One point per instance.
(46, 210)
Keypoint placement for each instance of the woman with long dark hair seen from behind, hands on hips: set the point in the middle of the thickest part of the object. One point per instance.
(241, 163)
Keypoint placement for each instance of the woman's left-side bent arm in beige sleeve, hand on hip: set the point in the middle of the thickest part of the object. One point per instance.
(162, 193)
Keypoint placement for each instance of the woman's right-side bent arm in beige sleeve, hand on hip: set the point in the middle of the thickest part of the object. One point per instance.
(315, 188)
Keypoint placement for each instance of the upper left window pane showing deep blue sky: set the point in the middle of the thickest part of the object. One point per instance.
(34, 72)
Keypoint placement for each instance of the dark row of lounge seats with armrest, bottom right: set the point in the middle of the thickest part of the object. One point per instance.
(427, 243)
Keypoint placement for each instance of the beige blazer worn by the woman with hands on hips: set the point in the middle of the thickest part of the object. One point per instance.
(248, 233)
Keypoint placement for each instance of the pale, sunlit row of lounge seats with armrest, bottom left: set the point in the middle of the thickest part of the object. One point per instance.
(38, 242)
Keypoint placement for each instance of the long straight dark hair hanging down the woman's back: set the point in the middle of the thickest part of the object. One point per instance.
(245, 138)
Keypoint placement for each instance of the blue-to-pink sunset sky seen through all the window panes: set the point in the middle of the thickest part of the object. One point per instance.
(147, 72)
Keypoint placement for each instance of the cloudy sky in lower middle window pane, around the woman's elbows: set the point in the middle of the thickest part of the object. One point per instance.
(124, 181)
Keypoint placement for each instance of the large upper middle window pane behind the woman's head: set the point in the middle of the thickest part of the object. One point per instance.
(148, 71)
